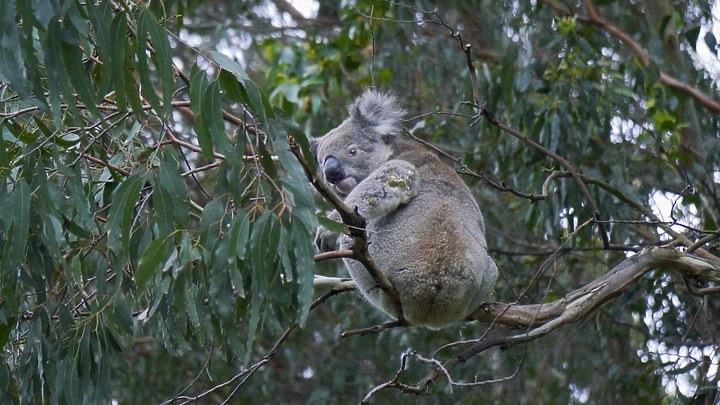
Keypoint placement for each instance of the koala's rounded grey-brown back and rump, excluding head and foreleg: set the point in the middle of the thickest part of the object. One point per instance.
(433, 246)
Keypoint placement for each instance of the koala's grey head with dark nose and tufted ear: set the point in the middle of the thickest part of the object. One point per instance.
(349, 153)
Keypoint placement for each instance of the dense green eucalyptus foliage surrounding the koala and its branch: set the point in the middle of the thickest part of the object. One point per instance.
(156, 242)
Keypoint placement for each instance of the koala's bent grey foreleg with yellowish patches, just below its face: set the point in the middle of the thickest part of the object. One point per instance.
(394, 183)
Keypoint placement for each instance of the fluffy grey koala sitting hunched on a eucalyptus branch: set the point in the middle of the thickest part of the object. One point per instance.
(425, 230)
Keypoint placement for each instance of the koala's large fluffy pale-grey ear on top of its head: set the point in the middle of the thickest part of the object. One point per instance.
(377, 111)
